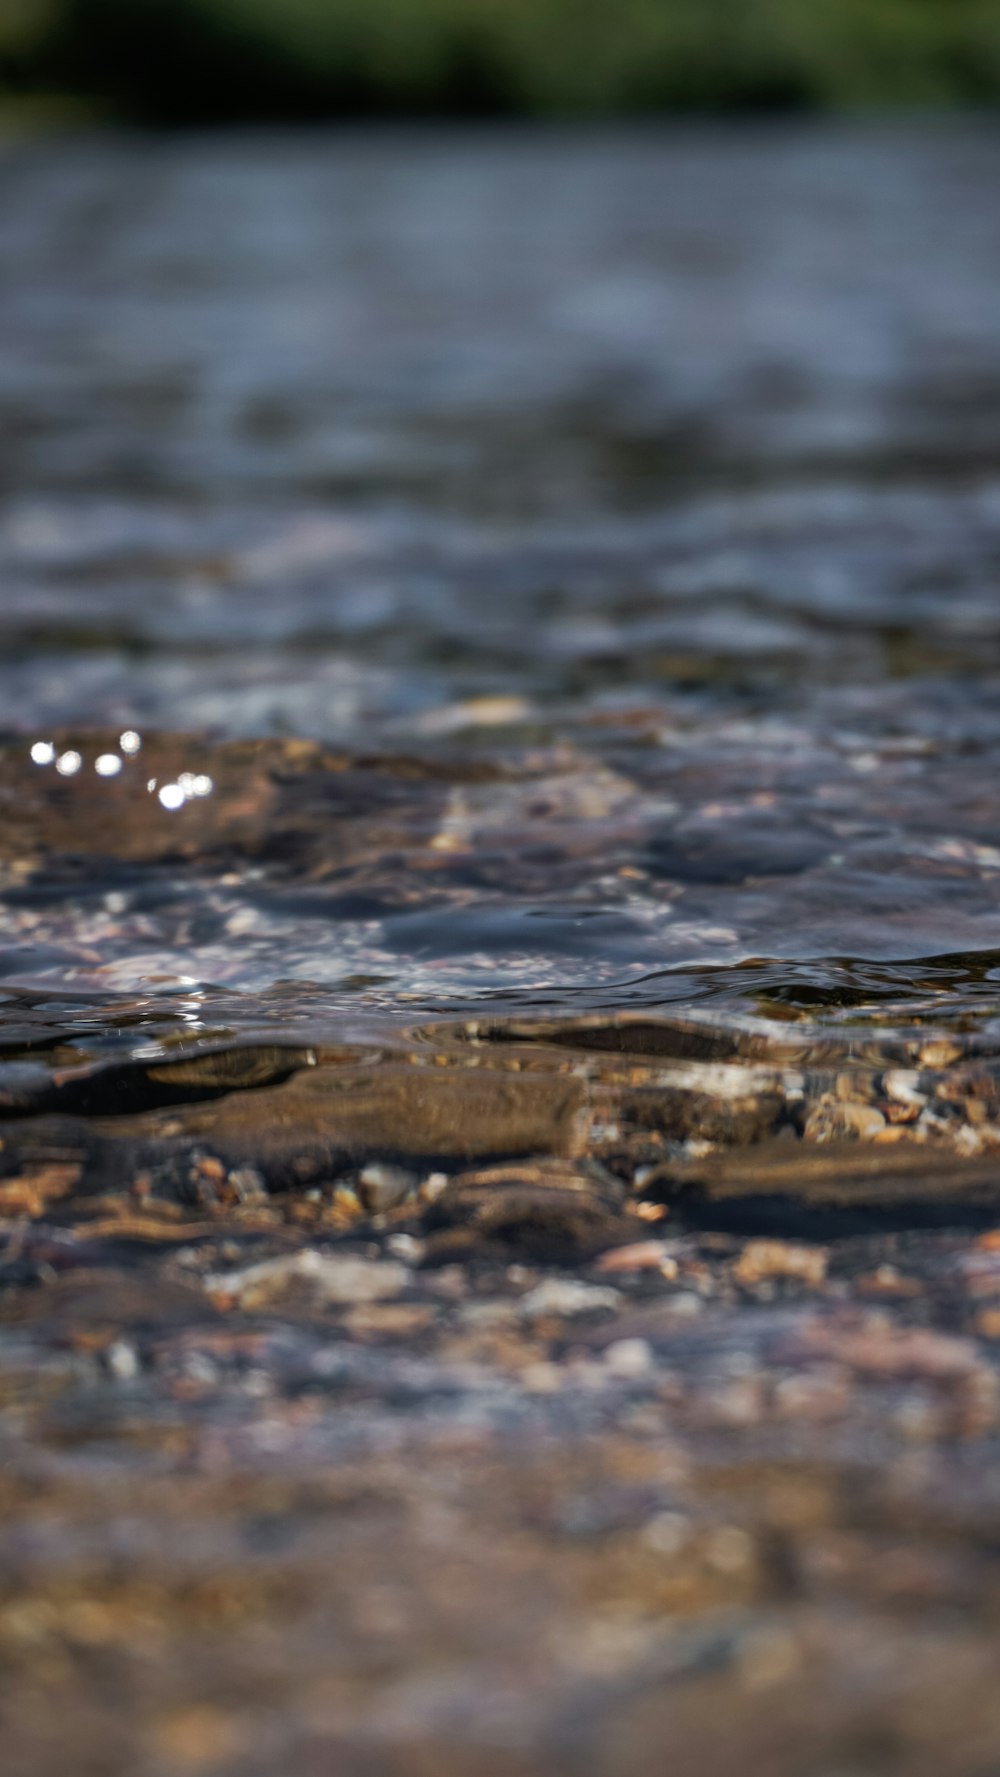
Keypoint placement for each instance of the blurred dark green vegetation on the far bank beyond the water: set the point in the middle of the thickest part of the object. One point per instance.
(182, 61)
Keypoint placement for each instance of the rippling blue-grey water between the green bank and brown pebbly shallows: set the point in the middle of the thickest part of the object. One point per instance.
(623, 513)
